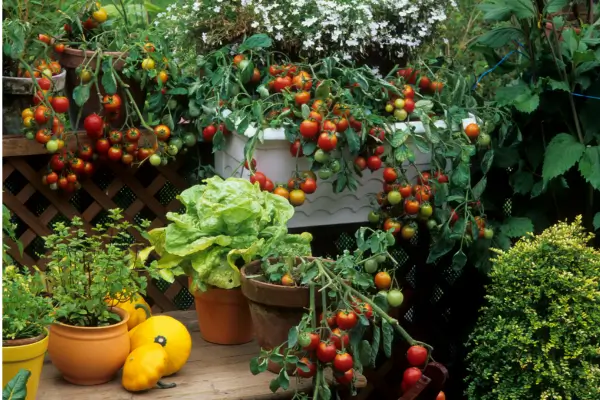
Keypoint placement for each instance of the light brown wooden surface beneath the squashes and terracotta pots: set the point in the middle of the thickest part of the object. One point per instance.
(213, 372)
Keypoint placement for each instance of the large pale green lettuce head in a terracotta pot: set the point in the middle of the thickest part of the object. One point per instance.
(224, 221)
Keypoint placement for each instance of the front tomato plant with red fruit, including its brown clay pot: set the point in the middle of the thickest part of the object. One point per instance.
(341, 316)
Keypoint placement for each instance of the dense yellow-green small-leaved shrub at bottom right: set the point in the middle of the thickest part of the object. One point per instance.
(538, 337)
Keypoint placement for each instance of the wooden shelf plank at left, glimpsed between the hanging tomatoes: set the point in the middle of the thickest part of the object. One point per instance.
(19, 145)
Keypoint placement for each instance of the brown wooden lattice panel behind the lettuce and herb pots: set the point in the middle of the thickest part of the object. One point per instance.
(143, 192)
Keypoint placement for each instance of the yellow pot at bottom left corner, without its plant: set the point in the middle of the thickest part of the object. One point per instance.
(24, 354)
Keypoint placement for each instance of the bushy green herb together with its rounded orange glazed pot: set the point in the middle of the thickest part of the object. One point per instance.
(89, 341)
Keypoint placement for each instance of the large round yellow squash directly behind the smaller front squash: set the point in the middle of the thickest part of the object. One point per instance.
(168, 332)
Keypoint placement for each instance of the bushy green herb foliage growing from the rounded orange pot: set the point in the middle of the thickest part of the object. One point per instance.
(86, 268)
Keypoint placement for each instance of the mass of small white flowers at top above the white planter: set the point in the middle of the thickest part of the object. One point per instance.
(314, 28)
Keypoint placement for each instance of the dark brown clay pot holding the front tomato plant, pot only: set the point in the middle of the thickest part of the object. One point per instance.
(274, 308)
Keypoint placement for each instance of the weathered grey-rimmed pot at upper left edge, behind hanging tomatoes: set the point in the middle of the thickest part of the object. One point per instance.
(17, 94)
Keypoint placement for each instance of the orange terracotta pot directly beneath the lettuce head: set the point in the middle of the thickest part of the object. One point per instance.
(223, 316)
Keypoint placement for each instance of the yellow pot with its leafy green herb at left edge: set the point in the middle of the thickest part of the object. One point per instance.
(26, 314)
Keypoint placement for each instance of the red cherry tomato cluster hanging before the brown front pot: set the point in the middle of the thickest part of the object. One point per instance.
(330, 347)
